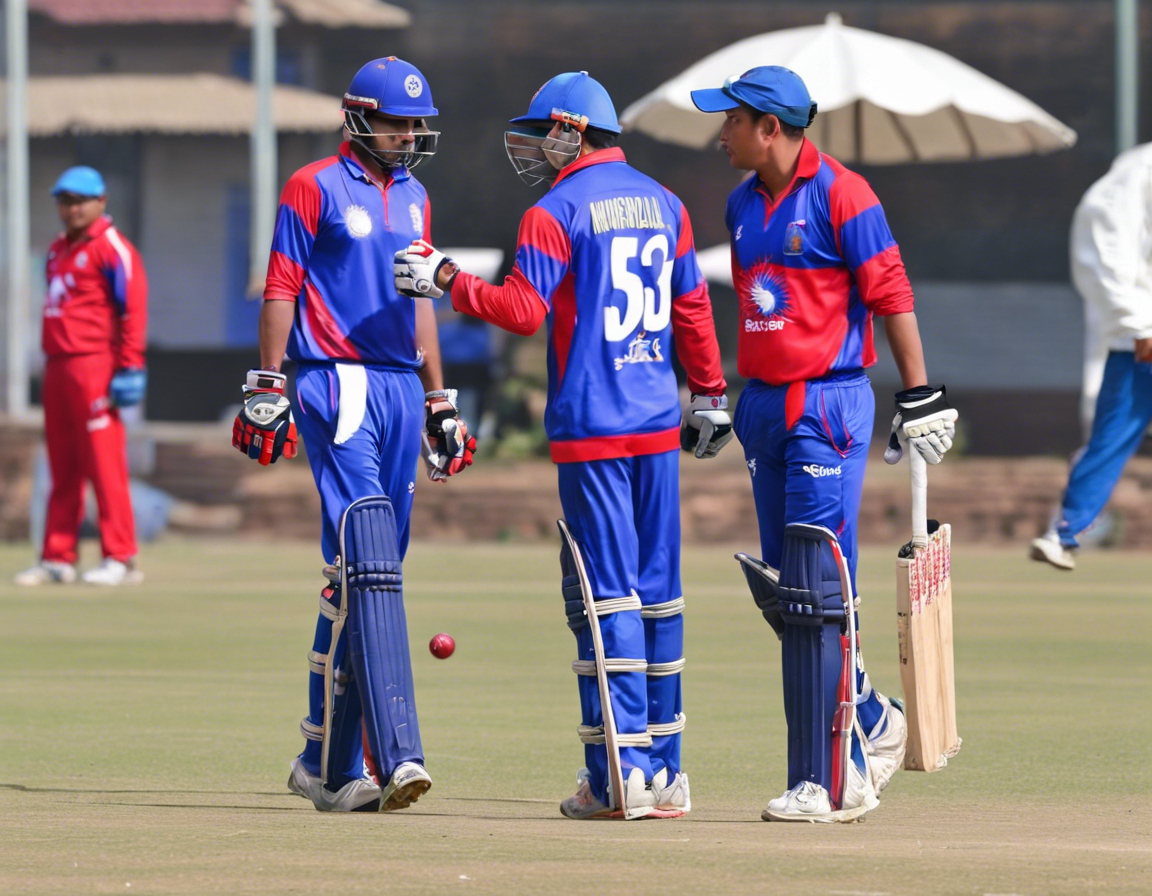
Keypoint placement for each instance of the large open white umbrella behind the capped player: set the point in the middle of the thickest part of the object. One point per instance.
(882, 100)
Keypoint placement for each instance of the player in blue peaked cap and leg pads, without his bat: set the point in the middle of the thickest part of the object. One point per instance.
(814, 261)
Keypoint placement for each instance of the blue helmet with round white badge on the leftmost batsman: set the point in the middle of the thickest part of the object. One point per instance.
(397, 89)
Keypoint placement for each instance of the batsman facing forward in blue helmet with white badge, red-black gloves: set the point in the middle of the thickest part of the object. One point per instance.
(368, 383)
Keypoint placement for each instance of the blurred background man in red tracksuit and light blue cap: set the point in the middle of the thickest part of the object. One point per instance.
(94, 333)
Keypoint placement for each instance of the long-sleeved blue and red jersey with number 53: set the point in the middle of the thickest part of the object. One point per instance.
(608, 259)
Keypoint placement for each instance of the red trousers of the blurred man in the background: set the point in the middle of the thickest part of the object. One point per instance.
(86, 441)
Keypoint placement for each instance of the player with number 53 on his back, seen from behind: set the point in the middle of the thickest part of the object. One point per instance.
(607, 259)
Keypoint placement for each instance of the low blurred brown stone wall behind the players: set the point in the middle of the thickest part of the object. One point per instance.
(987, 500)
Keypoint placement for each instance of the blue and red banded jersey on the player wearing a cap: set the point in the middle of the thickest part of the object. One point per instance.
(812, 268)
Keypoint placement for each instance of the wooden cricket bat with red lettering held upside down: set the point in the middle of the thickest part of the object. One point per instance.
(924, 628)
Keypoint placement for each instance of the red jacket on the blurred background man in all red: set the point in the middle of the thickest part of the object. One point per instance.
(97, 300)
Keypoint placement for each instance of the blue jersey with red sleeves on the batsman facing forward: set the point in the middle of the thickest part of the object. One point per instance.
(338, 230)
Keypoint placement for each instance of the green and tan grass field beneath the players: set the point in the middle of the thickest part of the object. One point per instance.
(147, 735)
